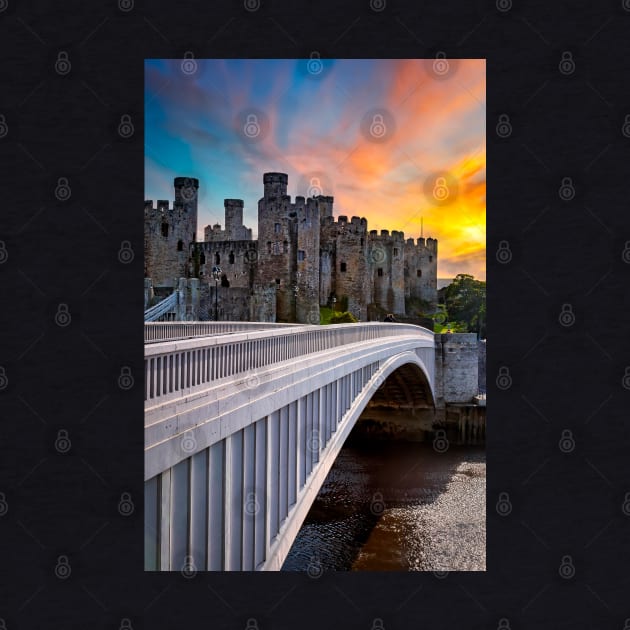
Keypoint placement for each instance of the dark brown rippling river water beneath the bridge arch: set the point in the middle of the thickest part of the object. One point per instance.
(397, 506)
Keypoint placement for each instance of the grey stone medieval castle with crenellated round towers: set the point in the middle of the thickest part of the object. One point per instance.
(303, 258)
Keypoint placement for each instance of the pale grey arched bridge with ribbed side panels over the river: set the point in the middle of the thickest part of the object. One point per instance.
(243, 421)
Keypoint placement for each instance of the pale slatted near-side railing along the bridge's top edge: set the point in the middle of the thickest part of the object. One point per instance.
(174, 368)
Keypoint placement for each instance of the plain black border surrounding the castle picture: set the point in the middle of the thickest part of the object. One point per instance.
(569, 506)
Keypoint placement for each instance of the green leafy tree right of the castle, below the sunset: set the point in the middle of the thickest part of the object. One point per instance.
(465, 302)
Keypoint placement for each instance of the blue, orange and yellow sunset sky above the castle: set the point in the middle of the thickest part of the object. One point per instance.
(400, 142)
